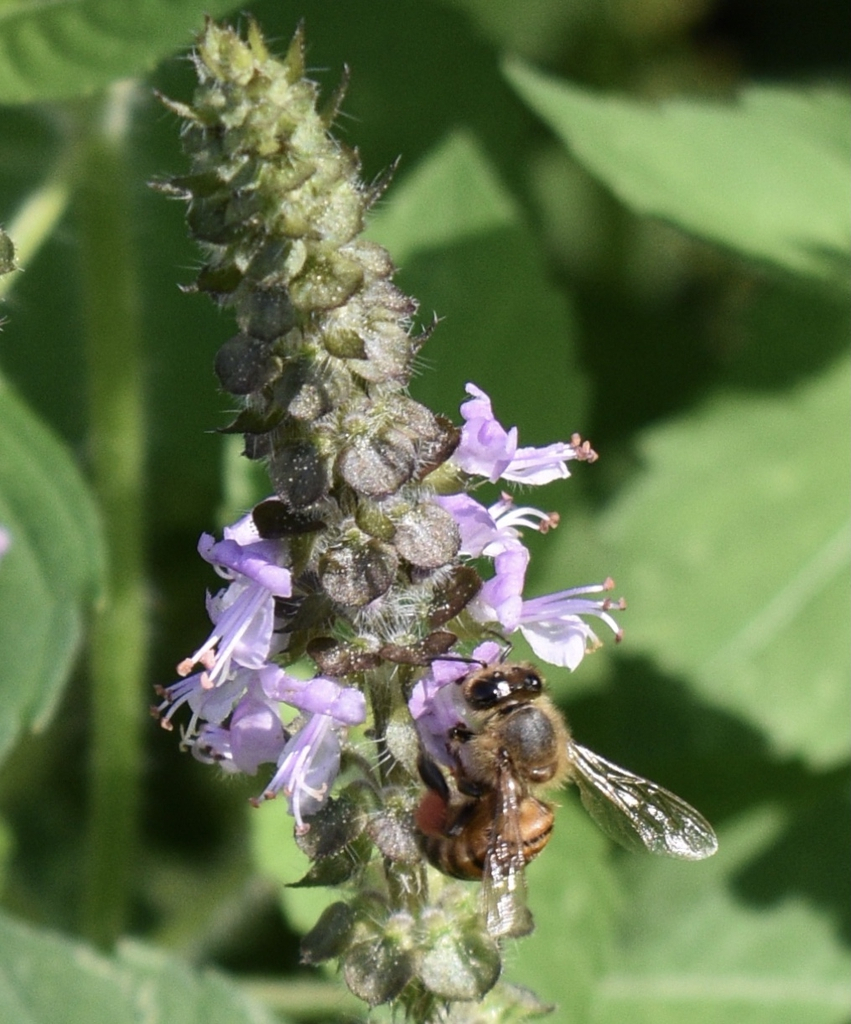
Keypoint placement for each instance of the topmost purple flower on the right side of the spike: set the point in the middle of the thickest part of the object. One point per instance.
(488, 450)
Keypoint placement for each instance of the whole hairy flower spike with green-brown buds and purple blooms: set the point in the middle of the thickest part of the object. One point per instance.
(372, 561)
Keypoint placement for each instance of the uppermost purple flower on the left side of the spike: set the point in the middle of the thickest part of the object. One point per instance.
(244, 613)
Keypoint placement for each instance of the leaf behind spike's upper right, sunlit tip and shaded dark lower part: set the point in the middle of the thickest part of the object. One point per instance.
(465, 252)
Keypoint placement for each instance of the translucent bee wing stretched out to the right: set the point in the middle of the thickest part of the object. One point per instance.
(637, 814)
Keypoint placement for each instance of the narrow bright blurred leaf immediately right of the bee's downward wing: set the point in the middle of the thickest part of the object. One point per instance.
(575, 897)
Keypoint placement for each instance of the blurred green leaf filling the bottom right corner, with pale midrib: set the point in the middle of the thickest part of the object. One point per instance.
(695, 951)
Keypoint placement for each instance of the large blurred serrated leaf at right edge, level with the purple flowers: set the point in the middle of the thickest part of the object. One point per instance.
(733, 549)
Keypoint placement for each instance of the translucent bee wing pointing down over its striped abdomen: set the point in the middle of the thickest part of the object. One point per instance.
(504, 884)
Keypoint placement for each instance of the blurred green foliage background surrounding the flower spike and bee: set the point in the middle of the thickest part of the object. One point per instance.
(632, 221)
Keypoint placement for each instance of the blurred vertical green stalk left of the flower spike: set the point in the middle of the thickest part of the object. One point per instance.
(113, 330)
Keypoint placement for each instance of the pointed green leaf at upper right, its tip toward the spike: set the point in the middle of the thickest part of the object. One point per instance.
(767, 176)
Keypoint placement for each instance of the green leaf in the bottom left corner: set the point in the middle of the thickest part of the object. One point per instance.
(47, 979)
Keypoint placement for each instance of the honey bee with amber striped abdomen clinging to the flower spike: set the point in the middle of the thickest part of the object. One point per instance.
(515, 742)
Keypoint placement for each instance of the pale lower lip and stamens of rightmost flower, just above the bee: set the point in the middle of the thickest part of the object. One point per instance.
(555, 629)
